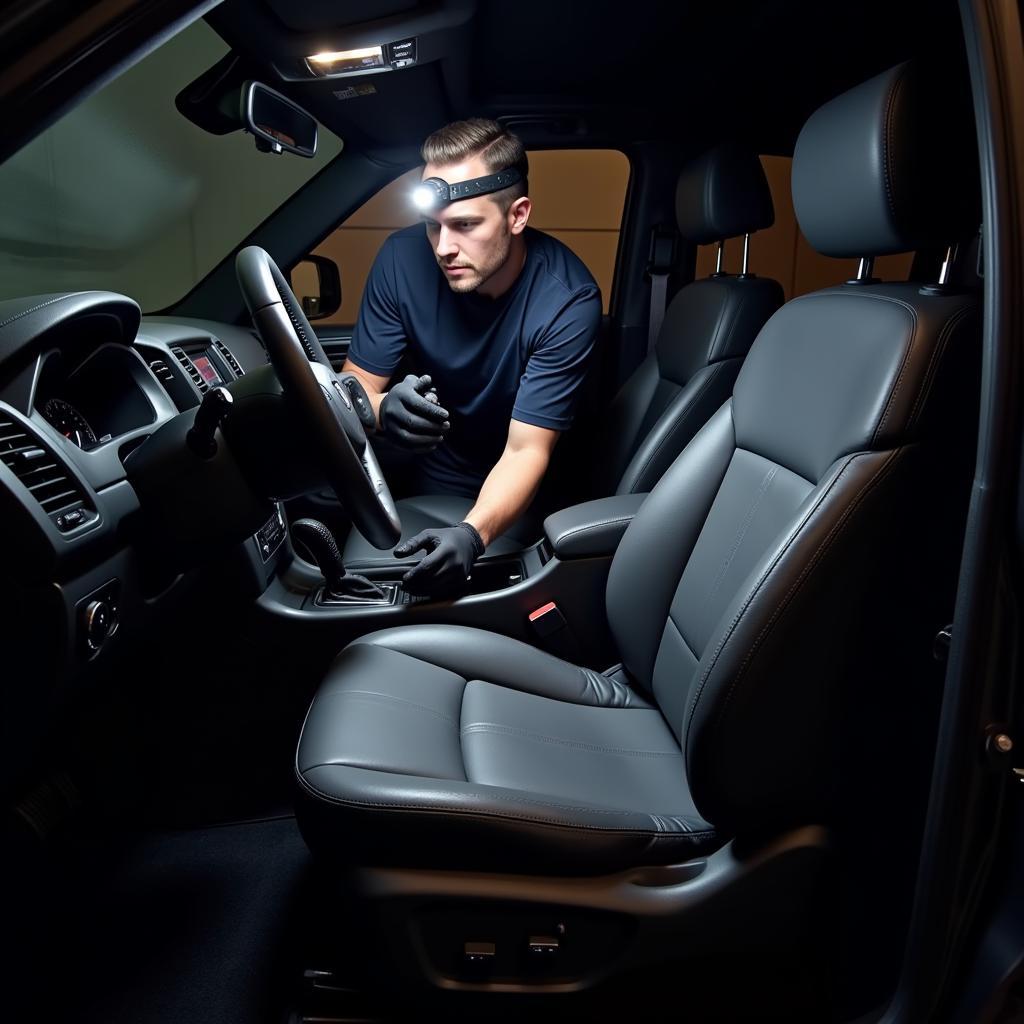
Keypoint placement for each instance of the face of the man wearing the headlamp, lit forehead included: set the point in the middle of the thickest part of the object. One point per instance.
(473, 238)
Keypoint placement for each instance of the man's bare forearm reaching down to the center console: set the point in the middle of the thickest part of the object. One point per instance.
(513, 483)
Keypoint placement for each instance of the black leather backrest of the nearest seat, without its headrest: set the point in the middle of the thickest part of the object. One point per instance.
(773, 517)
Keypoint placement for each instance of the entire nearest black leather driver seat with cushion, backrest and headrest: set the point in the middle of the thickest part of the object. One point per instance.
(803, 519)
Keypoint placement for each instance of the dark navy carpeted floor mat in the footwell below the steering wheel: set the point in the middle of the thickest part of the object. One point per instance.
(180, 927)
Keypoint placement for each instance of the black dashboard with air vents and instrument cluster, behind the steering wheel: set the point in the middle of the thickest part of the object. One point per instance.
(84, 381)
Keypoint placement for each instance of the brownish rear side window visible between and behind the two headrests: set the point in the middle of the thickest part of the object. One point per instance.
(783, 252)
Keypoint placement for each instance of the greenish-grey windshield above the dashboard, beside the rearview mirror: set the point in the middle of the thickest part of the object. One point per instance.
(125, 194)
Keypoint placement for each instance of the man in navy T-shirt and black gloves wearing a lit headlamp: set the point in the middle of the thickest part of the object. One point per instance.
(499, 319)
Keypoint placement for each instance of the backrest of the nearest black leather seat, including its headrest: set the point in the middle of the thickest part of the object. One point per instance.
(809, 506)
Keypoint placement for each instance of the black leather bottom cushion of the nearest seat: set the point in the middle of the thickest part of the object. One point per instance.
(530, 760)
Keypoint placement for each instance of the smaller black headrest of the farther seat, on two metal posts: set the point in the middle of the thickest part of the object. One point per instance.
(722, 194)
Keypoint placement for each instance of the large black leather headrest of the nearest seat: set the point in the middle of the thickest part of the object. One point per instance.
(888, 167)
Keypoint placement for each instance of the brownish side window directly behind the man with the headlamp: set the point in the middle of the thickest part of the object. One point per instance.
(578, 198)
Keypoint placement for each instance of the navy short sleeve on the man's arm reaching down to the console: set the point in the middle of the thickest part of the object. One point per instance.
(549, 388)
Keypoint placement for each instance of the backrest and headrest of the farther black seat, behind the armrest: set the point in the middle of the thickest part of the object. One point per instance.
(707, 331)
